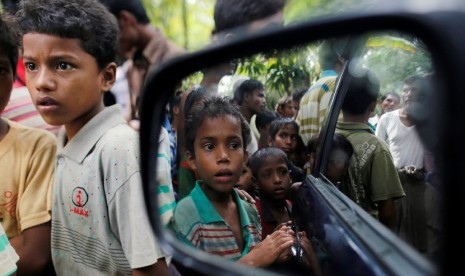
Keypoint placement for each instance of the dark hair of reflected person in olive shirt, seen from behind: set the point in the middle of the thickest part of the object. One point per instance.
(363, 89)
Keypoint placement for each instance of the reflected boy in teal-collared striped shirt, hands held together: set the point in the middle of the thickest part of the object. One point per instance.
(212, 217)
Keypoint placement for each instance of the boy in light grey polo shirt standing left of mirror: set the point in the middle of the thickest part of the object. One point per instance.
(69, 49)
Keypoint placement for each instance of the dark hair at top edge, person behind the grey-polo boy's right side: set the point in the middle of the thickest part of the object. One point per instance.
(135, 7)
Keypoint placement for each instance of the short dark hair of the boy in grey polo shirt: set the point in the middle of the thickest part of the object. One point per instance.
(86, 20)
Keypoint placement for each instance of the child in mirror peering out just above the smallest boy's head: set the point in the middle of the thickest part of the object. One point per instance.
(284, 134)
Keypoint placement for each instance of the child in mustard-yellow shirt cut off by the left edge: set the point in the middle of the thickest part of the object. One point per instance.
(27, 161)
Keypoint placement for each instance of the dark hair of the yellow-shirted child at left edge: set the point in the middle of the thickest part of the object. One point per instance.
(9, 40)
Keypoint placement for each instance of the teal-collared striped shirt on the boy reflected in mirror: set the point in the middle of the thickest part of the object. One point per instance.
(197, 223)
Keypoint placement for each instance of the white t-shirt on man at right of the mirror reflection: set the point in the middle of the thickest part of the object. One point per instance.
(403, 141)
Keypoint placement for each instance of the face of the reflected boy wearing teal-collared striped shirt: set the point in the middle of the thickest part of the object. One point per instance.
(219, 153)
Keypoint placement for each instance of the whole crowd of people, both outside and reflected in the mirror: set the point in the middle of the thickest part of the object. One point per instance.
(71, 161)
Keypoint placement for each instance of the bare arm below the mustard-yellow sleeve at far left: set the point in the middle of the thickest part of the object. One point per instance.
(33, 249)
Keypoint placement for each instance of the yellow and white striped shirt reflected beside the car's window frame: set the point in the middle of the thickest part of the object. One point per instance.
(314, 104)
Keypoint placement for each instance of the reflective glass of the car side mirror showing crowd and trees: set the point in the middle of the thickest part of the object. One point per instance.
(246, 143)
